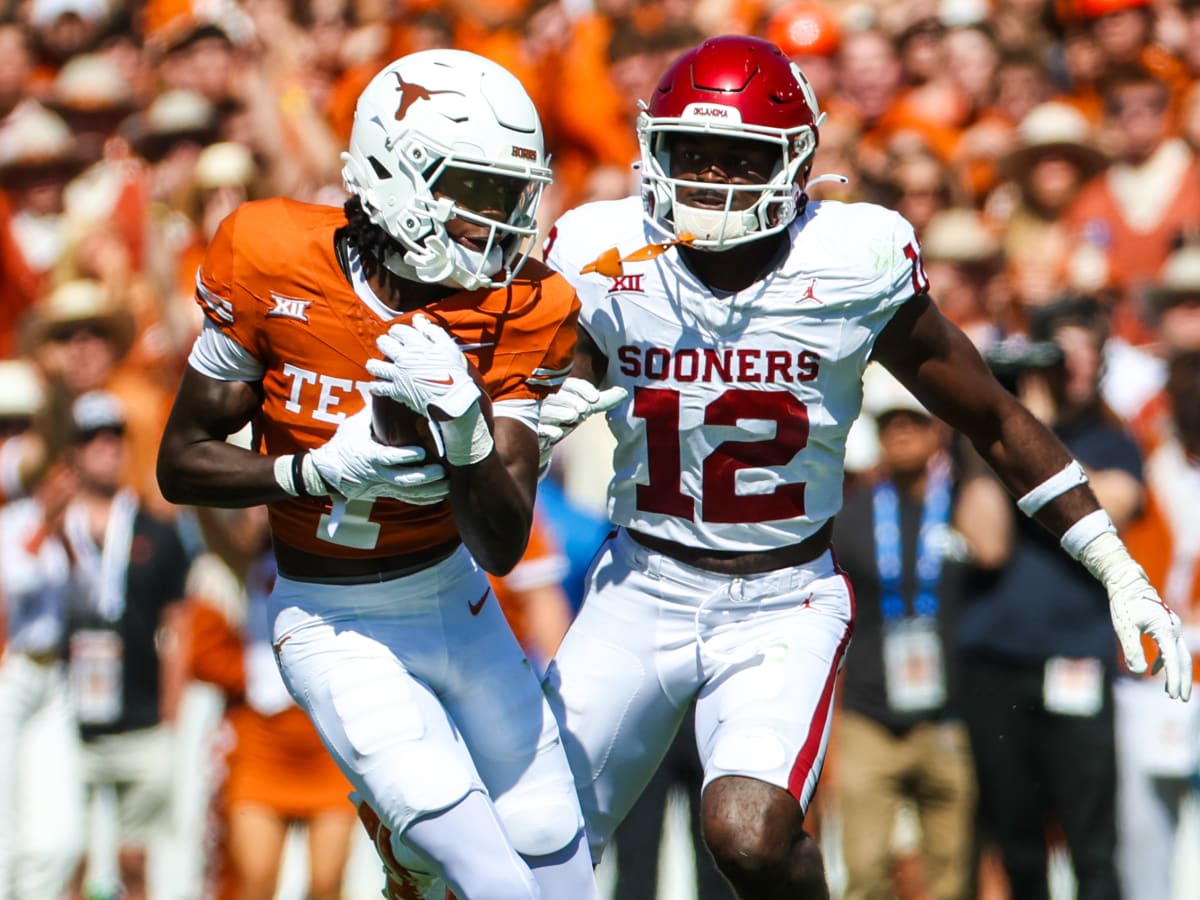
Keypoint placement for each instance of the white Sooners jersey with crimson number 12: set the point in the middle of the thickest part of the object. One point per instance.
(734, 434)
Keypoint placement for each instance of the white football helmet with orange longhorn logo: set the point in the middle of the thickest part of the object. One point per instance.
(440, 112)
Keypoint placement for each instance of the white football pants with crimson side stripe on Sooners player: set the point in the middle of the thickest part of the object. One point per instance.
(760, 655)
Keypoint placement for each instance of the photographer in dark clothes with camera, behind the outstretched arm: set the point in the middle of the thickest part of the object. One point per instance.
(1037, 653)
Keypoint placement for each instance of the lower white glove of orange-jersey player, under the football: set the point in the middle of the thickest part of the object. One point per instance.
(357, 466)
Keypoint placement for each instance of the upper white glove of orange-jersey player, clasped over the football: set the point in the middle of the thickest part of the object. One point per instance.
(427, 371)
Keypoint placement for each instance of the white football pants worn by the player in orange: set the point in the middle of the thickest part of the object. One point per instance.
(422, 694)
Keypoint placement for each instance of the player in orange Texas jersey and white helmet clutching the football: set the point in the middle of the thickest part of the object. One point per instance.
(383, 623)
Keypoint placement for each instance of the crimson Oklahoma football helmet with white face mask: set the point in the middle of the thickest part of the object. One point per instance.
(743, 88)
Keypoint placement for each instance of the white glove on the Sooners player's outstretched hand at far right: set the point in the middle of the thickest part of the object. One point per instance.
(1137, 609)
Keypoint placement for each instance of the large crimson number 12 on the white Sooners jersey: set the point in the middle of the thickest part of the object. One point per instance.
(721, 502)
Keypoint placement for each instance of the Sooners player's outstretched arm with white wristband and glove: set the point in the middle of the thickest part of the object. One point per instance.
(940, 365)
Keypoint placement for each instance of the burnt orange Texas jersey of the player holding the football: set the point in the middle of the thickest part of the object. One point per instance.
(271, 280)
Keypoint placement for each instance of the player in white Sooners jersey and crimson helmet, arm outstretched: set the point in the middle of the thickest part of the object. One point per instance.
(727, 325)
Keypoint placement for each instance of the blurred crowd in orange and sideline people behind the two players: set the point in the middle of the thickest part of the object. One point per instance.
(1048, 155)
